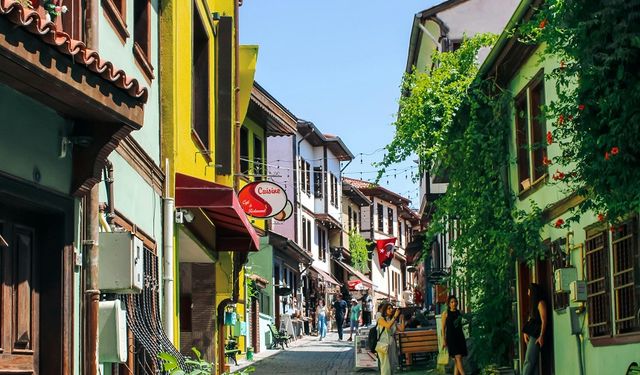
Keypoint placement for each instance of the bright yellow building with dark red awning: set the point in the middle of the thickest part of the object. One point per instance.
(206, 83)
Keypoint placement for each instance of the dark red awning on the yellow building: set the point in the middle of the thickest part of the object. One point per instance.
(220, 203)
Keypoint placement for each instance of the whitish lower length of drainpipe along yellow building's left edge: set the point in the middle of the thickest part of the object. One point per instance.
(167, 246)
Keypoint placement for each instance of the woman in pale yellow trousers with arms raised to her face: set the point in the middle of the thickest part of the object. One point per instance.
(386, 346)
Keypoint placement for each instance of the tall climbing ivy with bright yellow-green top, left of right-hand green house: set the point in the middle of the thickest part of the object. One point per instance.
(458, 125)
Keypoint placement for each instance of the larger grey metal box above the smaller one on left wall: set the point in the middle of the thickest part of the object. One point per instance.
(121, 263)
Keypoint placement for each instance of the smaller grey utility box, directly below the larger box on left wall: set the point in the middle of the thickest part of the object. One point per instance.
(112, 328)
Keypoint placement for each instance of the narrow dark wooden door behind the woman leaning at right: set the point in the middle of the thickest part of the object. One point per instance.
(544, 272)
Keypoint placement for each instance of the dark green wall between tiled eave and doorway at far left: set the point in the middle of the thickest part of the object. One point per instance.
(30, 139)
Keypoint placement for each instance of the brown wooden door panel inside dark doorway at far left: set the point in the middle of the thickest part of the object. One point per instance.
(19, 300)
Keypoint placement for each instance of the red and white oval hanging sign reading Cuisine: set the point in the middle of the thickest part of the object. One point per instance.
(262, 199)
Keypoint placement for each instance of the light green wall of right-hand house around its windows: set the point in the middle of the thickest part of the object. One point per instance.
(613, 359)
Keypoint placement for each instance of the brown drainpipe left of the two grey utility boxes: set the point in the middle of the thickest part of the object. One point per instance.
(92, 294)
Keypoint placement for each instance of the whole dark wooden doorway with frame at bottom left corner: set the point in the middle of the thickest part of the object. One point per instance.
(36, 277)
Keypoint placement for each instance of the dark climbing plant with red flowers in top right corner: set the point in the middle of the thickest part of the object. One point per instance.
(597, 113)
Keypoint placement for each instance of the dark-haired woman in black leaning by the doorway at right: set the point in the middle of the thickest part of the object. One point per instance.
(535, 328)
